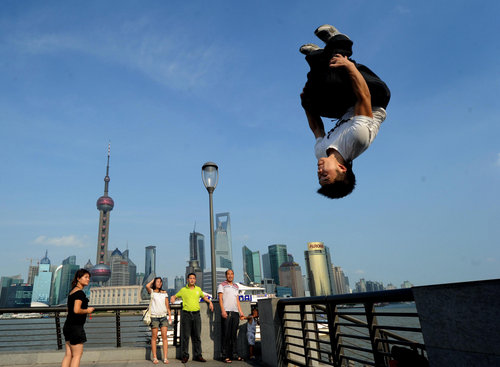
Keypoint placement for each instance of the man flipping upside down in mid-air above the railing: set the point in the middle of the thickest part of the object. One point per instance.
(337, 77)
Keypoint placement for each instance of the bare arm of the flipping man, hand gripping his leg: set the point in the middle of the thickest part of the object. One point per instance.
(363, 104)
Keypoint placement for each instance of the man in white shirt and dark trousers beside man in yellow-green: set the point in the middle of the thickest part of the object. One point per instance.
(231, 313)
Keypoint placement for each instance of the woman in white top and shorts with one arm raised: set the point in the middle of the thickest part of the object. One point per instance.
(159, 309)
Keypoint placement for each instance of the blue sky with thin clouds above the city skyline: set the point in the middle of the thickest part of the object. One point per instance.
(173, 84)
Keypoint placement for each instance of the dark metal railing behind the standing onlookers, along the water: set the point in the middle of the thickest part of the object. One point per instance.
(108, 326)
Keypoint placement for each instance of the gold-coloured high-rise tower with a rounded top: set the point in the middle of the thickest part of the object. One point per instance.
(319, 269)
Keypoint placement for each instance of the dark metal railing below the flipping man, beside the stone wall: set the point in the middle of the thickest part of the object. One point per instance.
(348, 330)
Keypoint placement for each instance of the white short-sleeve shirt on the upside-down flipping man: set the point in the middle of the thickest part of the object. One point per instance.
(352, 137)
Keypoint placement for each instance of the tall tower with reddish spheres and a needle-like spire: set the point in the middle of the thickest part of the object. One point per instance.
(101, 272)
